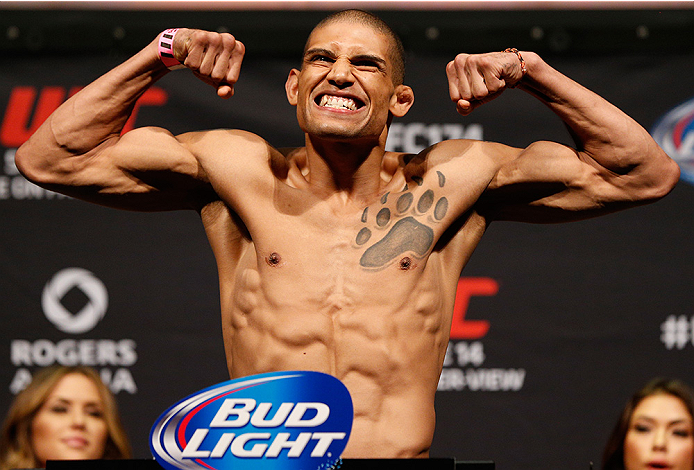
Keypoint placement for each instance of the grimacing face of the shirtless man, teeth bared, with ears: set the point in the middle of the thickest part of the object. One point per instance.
(344, 90)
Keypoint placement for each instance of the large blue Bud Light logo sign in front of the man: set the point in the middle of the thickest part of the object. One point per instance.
(281, 420)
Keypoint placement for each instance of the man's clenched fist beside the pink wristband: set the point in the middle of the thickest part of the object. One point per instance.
(214, 58)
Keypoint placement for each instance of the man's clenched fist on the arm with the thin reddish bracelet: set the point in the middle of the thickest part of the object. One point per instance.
(476, 79)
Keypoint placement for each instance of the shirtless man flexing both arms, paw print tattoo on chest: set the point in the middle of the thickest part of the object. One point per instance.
(338, 256)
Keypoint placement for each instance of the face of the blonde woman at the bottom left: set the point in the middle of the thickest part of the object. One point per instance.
(70, 424)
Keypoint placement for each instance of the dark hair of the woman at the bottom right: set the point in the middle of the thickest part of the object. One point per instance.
(613, 455)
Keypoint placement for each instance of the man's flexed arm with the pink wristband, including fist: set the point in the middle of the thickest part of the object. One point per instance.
(79, 150)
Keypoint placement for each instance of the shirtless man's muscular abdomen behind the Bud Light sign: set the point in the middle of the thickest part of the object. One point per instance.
(382, 334)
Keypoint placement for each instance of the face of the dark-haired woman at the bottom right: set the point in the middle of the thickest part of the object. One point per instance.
(659, 435)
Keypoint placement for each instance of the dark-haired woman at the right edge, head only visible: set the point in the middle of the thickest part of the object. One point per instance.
(654, 430)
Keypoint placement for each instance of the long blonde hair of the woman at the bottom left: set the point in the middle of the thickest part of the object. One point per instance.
(16, 450)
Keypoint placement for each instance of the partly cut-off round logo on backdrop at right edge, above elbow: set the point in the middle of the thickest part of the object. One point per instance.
(674, 132)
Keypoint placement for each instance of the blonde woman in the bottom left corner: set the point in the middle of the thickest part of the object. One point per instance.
(66, 413)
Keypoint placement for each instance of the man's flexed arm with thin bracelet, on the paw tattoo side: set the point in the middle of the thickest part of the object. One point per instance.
(616, 164)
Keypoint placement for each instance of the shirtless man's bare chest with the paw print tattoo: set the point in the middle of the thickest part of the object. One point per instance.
(398, 229)
